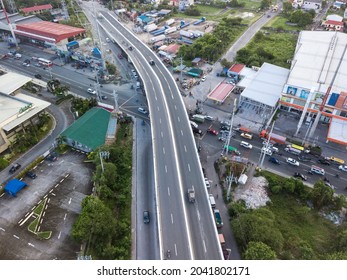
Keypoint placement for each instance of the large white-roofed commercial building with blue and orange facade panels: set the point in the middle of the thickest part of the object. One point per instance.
(320, 65)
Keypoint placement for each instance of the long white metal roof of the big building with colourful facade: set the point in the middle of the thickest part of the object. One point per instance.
(316, 60)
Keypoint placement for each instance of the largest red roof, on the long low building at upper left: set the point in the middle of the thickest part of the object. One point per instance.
(49, 29)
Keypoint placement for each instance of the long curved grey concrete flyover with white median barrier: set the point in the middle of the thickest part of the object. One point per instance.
(187, 230)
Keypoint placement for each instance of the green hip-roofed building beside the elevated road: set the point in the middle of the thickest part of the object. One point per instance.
(89, 131)
